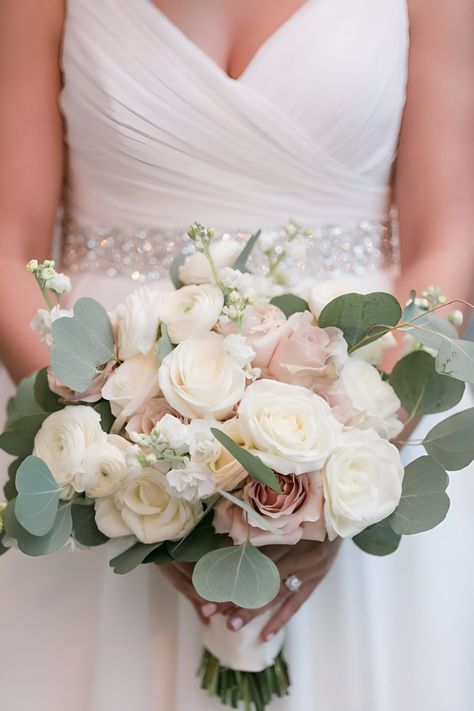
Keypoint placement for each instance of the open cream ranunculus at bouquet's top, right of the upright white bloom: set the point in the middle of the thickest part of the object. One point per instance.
(191, 310)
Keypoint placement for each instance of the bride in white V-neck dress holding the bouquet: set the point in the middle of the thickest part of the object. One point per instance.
(141, 116)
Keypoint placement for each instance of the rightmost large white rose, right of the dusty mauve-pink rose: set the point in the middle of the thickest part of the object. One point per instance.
(362, 483)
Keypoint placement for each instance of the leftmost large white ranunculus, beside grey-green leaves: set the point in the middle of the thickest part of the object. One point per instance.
(64, 438)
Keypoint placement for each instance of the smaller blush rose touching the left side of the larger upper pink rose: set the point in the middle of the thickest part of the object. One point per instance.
(262, 326)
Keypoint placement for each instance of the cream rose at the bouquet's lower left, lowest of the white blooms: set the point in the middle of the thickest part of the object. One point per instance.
(144, 507)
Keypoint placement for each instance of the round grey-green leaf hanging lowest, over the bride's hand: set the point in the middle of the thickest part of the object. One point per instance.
(239, 574)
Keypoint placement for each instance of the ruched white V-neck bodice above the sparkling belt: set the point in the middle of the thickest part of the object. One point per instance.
(159, 135)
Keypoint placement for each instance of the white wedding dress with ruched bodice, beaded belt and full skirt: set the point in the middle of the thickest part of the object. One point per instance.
(159, 136)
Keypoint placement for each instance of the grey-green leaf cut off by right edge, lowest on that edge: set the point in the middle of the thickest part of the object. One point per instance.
(451, 441)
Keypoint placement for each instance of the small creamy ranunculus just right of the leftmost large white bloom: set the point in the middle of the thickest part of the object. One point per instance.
(104, 468)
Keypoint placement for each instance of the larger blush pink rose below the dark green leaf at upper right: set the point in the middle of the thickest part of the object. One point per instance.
(306, 354)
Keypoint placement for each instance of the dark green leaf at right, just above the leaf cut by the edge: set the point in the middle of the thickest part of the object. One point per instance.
(421, 389)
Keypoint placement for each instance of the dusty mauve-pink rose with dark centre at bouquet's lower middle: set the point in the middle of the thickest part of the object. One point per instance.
(297, 512)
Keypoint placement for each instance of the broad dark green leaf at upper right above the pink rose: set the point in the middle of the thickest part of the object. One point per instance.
(362, 318)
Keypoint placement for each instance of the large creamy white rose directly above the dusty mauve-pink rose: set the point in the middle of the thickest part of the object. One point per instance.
(289, 427)
